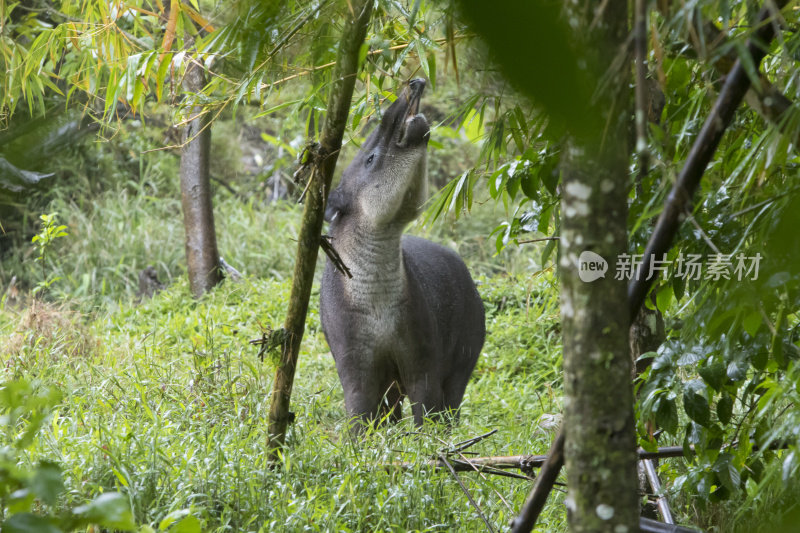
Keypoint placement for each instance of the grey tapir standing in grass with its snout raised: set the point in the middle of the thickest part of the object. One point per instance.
(409, 322)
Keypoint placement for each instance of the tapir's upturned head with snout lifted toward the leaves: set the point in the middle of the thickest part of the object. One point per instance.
(385, 183)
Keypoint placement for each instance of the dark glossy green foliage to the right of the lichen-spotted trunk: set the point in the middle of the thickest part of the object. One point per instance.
(734, 339)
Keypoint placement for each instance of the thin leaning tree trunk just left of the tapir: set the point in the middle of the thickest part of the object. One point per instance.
(323, 162)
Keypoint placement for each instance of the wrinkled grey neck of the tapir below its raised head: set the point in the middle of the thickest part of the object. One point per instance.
(375, 259)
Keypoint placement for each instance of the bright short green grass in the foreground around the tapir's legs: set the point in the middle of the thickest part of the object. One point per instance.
(167, 403)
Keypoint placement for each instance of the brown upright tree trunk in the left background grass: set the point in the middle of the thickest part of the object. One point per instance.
(202, 256)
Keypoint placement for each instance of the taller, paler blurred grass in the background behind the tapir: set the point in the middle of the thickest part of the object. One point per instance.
(123, 214)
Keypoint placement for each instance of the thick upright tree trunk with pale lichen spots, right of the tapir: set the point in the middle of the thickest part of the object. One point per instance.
(600, 447)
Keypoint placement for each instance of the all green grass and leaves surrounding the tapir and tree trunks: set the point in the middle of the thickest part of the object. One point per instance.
(151, 413)
